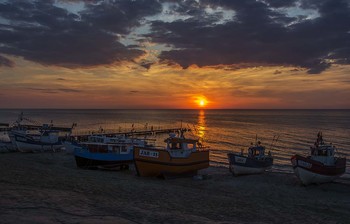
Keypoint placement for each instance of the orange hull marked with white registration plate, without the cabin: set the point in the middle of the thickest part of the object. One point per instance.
(159, 163)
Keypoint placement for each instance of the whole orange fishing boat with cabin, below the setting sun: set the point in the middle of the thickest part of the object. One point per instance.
(181, 156)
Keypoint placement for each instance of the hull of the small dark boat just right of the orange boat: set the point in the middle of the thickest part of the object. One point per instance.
(243, 165)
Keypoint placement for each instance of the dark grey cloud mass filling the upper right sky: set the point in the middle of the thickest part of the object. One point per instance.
(260, 34)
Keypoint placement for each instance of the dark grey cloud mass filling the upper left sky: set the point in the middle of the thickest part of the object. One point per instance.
(42, 32)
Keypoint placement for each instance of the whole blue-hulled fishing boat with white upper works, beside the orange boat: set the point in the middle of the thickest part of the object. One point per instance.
(105, 152)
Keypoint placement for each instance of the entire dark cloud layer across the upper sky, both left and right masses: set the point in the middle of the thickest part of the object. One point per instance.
(260, 32)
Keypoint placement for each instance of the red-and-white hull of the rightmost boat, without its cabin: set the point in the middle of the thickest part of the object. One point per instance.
(313, 172)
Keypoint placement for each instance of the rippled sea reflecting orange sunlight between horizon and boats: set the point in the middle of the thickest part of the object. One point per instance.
(222, 130)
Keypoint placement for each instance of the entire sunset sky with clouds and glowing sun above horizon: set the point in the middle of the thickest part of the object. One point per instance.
(235, 54)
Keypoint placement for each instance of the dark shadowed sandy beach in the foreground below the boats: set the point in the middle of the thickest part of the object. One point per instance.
(48, 188)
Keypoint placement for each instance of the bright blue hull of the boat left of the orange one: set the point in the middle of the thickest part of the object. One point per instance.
(93, 160)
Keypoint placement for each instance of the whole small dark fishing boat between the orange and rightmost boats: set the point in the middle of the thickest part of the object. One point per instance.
(254, 162)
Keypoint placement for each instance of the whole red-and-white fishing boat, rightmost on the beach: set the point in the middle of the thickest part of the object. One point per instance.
(321, 166)
